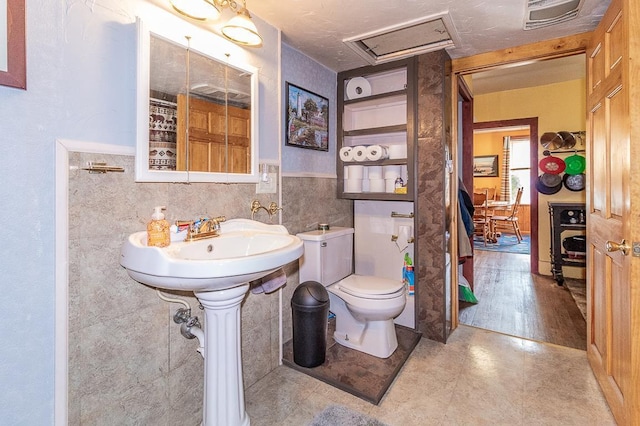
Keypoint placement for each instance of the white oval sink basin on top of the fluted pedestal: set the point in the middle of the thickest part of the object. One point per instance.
(245, 250)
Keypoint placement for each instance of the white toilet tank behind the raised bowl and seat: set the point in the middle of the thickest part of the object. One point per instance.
(328, 255)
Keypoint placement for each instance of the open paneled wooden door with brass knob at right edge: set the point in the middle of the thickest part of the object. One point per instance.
(613, 202)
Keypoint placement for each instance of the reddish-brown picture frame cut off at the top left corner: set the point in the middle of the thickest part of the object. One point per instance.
(15, 74)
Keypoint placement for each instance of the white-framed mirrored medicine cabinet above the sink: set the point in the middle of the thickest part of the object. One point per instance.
(196, 110)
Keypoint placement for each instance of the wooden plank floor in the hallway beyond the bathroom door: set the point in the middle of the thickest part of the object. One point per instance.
(513, 301)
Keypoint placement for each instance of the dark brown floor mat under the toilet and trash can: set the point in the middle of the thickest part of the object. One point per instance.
(360, 374)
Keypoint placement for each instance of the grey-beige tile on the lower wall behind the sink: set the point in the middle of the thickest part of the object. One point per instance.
(128, 363)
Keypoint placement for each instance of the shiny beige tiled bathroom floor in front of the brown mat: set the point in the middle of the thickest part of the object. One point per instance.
(478, 378)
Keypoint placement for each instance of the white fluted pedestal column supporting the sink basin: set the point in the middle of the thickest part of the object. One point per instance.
(223, 385)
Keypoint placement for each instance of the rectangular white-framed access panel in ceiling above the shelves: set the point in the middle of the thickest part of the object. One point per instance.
(407, 39)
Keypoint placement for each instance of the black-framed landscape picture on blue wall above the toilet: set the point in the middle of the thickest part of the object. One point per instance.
(307, 119)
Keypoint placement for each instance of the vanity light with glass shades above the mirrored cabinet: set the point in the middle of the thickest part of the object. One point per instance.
(240, 29)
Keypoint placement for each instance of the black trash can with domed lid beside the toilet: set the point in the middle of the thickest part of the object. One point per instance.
(310, 309)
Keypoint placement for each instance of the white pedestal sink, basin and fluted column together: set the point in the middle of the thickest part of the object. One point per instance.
(218, 271)
